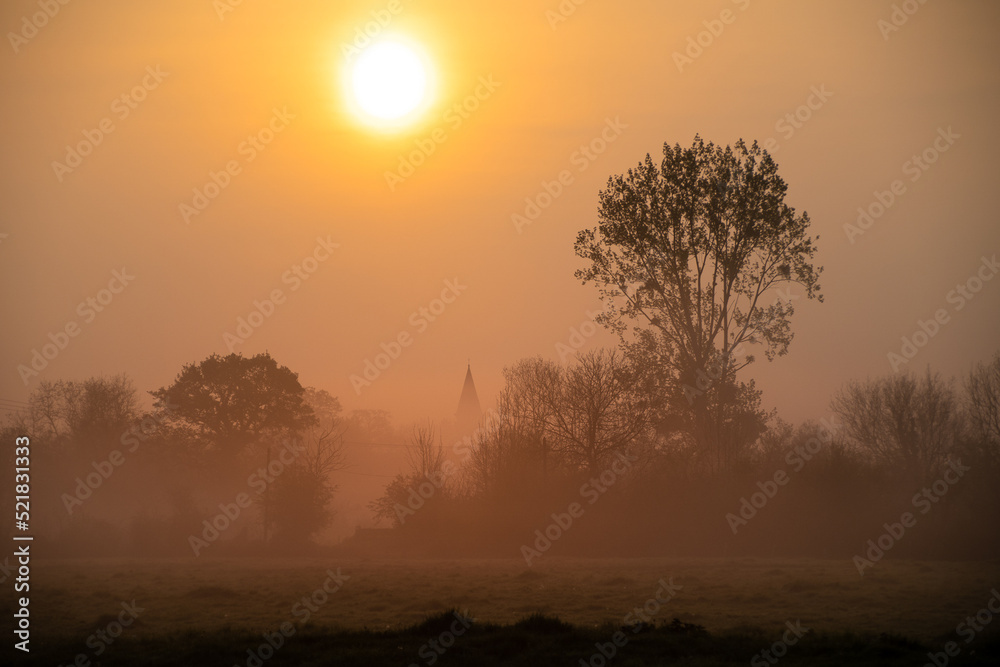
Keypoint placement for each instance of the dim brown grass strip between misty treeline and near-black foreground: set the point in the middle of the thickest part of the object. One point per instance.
(922, 600)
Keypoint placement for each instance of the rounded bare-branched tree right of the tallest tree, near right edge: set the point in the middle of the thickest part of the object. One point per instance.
(902, 422)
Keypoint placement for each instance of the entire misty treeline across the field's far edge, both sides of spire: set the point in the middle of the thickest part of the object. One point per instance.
(575, 459)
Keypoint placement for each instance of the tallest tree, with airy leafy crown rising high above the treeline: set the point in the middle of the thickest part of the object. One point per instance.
(685, 255)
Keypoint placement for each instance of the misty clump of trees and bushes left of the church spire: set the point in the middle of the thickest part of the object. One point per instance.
(234, 455)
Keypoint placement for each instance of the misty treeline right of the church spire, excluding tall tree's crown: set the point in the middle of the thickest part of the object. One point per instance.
(561, 436)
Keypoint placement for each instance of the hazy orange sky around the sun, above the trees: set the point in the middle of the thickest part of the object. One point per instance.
(209, 79)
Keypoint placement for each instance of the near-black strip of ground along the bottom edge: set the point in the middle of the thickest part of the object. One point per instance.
(534, 641)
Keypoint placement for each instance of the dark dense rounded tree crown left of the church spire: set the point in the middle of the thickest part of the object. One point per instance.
(231, 402)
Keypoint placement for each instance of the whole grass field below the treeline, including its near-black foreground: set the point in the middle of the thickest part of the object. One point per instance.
(213, 611)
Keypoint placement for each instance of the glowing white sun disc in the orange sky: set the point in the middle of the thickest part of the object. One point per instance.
(390, 83)
